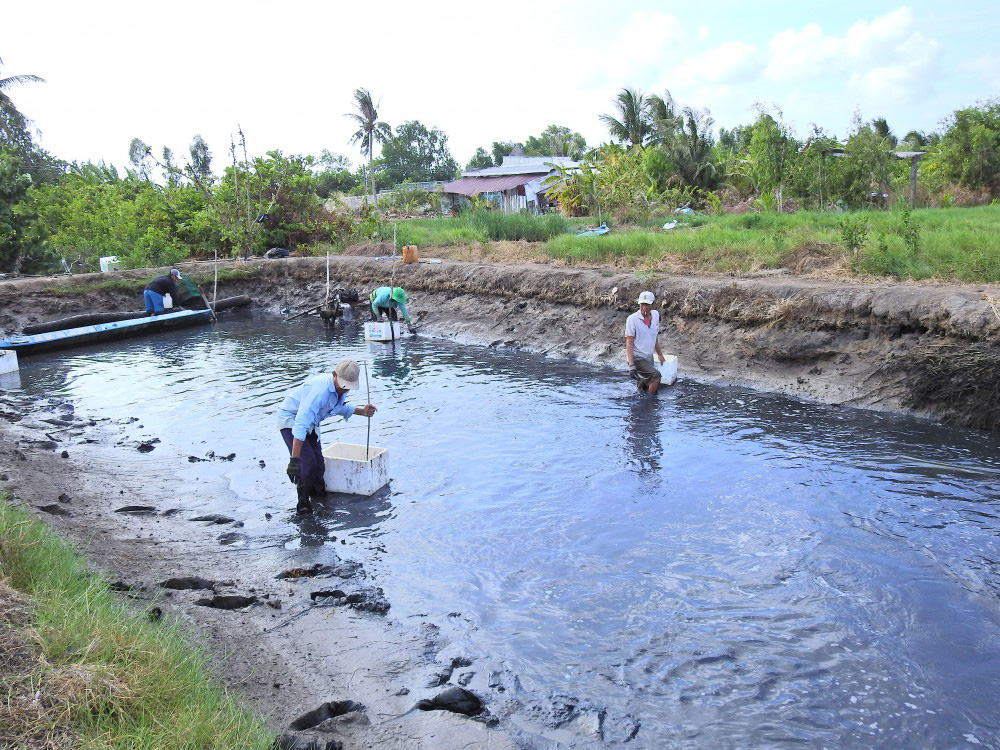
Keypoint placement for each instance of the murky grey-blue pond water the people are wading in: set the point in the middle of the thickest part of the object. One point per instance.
(728, 568)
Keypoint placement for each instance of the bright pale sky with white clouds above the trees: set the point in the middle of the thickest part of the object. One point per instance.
(481, 72)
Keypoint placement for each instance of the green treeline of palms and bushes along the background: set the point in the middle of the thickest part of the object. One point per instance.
(161, 208)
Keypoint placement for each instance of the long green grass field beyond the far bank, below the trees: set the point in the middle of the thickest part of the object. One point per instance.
(959, 244)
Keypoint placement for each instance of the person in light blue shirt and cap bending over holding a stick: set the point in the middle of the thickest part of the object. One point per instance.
(299, 418)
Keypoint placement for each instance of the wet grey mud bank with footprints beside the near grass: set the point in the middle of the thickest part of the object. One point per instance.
(315, 649)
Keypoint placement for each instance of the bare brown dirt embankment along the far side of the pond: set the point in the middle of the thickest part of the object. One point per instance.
(932, 349)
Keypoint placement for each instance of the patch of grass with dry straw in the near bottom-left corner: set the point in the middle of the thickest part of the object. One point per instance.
(121, 681)
